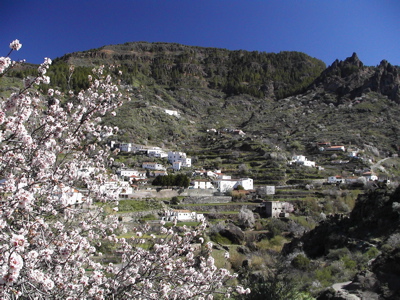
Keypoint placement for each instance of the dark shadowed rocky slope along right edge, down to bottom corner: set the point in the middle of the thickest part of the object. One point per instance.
(374, 222)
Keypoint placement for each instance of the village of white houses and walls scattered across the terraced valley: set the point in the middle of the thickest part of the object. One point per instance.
(212, 185)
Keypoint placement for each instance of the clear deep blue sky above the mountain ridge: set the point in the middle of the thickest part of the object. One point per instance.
(325, 29)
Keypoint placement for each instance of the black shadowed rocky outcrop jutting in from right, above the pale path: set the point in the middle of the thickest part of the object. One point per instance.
(372, 217)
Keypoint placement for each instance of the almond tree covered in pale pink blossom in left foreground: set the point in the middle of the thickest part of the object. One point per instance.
(47, 243)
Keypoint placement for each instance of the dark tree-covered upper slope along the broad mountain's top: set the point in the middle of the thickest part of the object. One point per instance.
(233, 72)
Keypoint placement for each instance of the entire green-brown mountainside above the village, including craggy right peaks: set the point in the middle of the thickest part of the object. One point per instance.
(284, 103)
